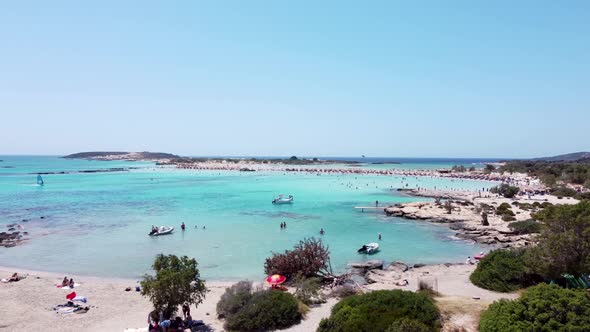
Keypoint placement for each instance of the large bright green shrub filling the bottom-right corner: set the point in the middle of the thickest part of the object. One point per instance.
(540, 308)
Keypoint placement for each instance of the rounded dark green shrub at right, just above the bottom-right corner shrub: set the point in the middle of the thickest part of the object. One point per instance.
(501, 271)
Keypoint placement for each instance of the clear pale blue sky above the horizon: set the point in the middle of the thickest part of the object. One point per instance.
(313, 78)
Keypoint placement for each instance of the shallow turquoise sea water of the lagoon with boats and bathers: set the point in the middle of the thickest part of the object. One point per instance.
(97, 223)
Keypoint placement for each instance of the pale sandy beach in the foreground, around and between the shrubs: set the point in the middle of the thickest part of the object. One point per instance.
(27, 305)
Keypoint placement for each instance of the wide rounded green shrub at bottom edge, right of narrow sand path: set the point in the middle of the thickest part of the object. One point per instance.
(378, 310)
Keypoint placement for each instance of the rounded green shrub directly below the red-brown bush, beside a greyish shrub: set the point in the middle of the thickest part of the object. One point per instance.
(266, 310)
